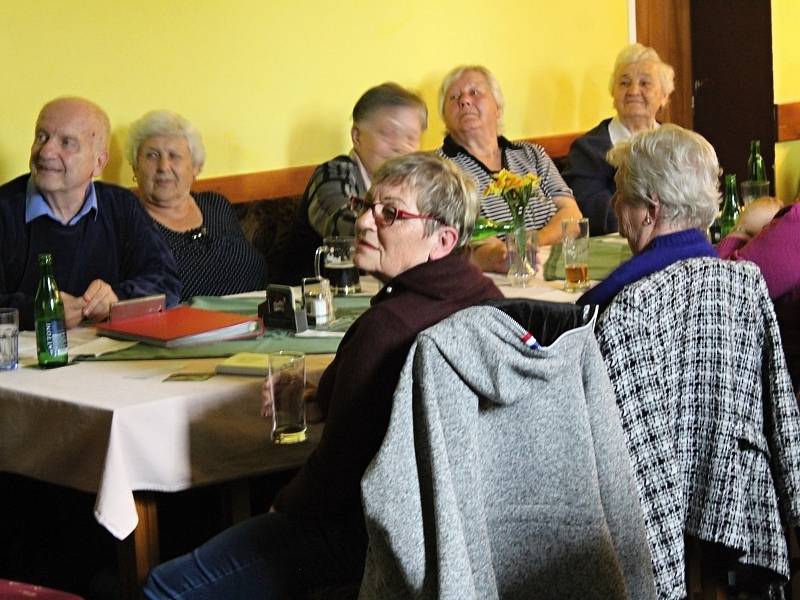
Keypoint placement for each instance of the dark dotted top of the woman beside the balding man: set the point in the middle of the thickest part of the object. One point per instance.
(215, 259)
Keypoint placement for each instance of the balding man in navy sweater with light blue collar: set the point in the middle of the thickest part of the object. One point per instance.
(103, 244)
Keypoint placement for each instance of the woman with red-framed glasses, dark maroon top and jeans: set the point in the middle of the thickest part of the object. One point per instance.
(410, 231)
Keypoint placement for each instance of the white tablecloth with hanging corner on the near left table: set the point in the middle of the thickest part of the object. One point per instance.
(116, 427)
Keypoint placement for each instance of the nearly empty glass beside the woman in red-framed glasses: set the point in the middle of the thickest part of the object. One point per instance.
(287, 378)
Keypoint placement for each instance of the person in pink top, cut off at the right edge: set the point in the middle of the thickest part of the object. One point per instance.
(773, 243)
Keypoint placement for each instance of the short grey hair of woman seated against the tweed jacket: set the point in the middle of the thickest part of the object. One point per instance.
(673, 165)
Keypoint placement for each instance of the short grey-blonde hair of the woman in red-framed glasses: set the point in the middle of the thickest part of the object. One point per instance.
(441, 190)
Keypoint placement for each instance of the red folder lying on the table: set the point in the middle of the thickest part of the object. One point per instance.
(182, 326)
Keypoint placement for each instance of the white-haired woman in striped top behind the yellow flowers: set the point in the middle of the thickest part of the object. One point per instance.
(471, 105)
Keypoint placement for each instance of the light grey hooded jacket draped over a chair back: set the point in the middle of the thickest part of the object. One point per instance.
(503, 473)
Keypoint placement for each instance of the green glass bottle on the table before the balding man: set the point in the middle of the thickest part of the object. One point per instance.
(48, 313)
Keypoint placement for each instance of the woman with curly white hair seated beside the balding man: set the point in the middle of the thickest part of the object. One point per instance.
(166, 153)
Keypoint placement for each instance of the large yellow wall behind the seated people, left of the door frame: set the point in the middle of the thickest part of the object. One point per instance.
(271, 83)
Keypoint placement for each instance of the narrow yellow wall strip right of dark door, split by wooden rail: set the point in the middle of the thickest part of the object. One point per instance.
(786, 73)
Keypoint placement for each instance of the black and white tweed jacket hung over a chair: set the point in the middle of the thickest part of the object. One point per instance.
(712, 424)
